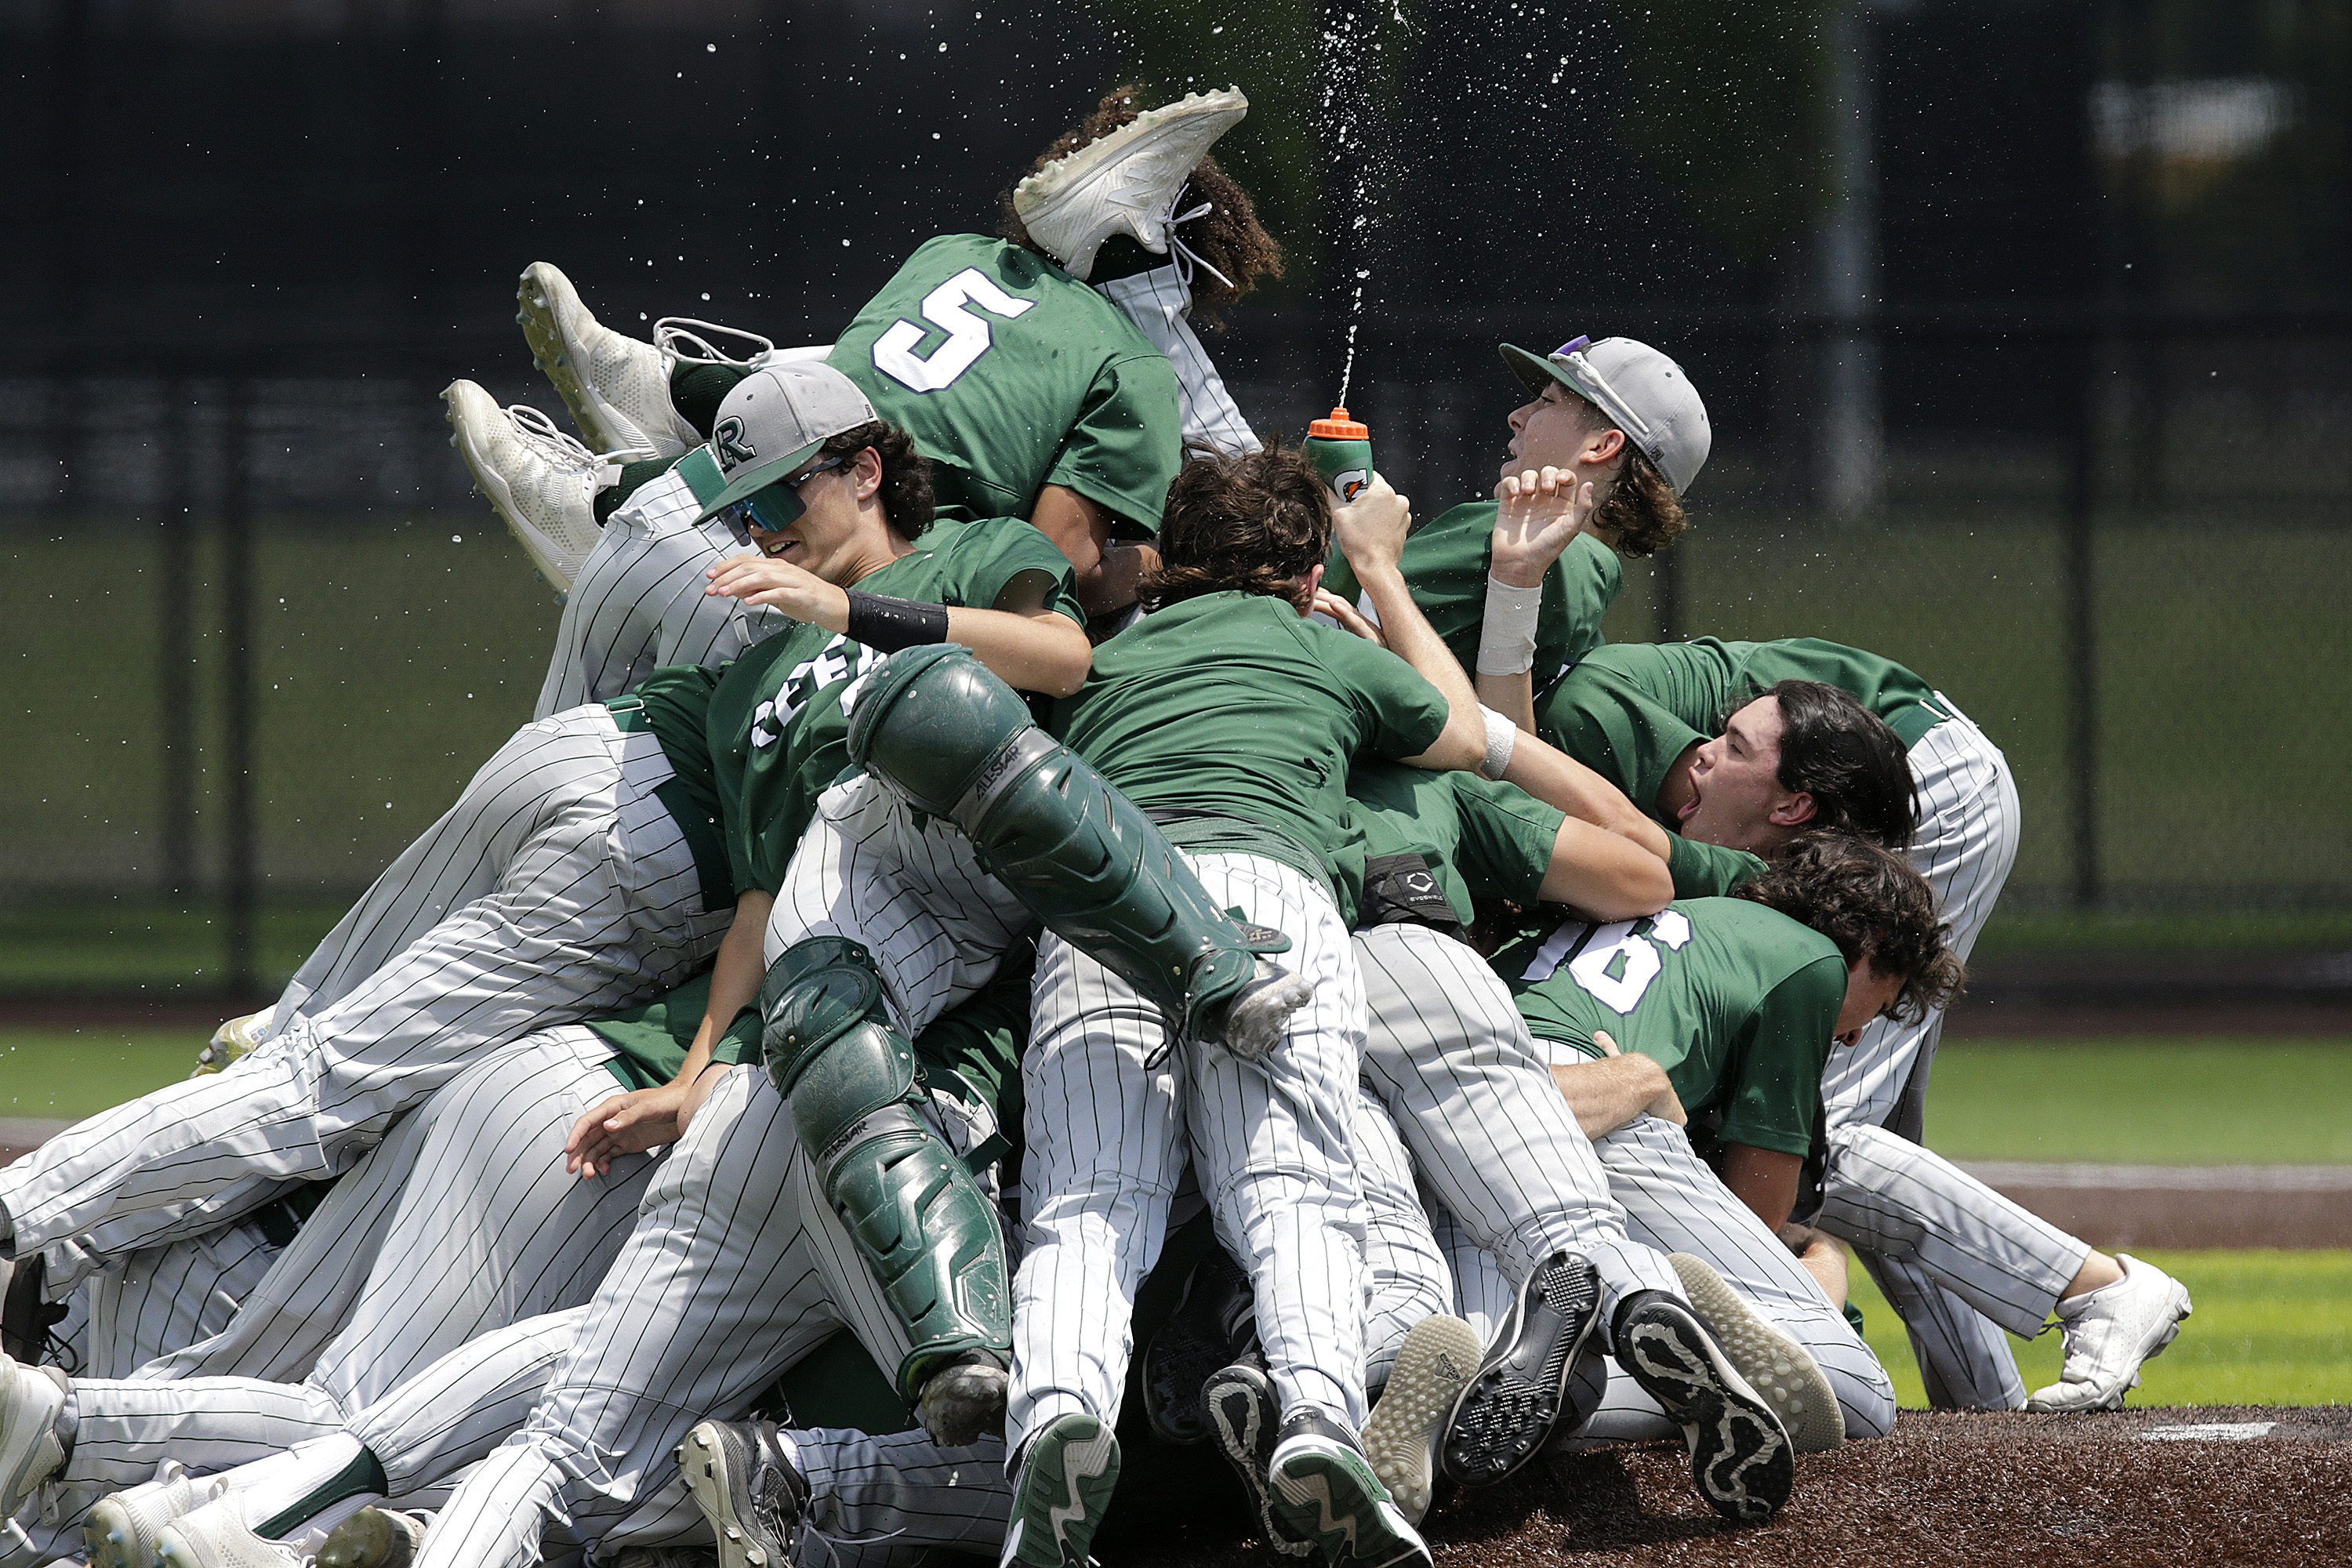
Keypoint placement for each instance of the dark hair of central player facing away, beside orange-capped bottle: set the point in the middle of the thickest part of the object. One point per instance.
(1243, 523)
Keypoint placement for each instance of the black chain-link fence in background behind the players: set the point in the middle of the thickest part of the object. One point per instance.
(2071, 450)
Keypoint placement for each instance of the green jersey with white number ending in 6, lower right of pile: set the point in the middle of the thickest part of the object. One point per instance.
(1735, 1000)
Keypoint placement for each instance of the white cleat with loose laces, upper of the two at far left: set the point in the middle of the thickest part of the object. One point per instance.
(617, 387)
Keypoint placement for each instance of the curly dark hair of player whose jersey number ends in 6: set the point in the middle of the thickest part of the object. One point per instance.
(1873, 906)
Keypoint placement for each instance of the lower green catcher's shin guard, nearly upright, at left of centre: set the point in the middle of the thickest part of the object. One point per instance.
(916, 1214)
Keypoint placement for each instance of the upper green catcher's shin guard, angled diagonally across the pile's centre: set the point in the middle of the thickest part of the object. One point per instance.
(949, 737)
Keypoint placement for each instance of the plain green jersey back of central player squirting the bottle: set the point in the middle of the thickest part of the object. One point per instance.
(1236, 706)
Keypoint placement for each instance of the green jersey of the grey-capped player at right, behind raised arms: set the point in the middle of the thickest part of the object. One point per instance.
(1448, 563)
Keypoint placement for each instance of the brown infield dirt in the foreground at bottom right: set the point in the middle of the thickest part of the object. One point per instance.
(1946, 1489)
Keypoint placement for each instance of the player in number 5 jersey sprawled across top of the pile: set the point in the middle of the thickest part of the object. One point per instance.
(1144, 213)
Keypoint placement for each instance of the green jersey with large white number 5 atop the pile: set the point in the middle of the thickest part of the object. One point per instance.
(1013, 375)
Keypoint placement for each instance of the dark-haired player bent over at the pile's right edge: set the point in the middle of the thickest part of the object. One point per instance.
(1843, 737)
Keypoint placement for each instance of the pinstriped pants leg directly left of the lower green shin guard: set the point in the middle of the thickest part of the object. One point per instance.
(733, 1273)
